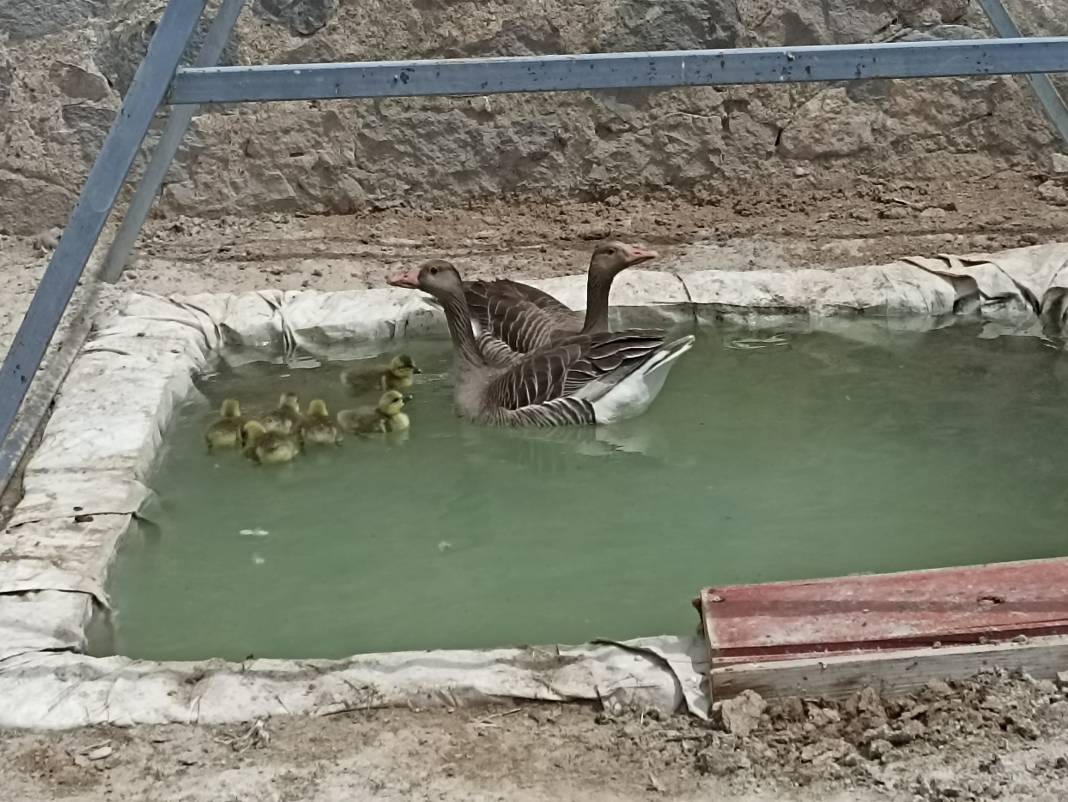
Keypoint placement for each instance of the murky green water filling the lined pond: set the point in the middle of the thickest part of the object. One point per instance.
(823, 457)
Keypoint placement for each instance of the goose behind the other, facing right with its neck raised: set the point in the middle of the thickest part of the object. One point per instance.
(512, 318)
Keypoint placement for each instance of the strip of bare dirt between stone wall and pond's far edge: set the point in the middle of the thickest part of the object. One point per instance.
(802, 224)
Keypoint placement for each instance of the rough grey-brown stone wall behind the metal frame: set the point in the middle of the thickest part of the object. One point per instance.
(66, 64)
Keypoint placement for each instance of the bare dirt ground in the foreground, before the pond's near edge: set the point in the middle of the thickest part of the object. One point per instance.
(995, 737)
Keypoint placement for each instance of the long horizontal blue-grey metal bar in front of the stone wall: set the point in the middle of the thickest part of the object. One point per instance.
(620, 71)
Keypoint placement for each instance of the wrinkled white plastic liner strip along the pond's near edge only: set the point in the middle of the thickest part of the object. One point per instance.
(65, 690)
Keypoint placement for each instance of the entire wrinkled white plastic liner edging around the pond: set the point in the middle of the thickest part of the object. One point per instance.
(90, 478)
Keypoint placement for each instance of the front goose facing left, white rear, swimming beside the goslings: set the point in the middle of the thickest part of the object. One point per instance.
(582, 380)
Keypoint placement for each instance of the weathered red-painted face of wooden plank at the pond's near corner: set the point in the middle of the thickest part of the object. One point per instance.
(967, 605)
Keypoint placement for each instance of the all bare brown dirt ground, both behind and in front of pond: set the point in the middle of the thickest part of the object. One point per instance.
(995, 738)
